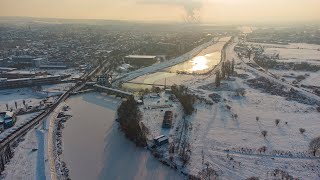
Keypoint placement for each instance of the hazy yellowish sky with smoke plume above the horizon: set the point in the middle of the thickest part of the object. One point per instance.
(167, 10)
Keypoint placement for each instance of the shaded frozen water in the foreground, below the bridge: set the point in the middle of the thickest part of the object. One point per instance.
(93, 147)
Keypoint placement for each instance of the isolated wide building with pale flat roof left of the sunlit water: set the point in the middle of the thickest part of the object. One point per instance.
(140, 60)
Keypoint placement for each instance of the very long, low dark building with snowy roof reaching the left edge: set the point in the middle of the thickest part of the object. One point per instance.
(29, 82)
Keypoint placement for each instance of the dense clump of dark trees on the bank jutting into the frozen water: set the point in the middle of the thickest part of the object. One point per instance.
(129, 117)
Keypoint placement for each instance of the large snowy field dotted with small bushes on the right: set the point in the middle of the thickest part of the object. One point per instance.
(216, 130)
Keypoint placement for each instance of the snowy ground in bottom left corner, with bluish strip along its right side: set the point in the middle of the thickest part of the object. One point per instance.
(30, 158)
